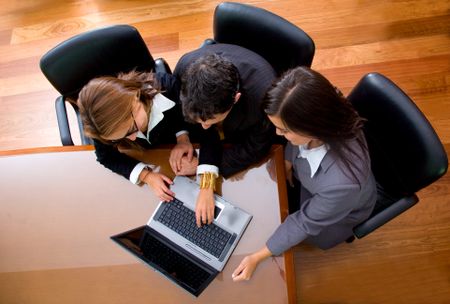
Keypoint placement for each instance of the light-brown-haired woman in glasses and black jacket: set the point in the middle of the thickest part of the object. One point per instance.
(126, 115)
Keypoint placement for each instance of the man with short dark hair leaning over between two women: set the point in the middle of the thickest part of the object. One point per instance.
(222, 87)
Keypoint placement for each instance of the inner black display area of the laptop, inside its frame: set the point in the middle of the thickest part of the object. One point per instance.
(176, 265)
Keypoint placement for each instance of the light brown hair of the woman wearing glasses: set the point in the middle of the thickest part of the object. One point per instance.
(105, 103)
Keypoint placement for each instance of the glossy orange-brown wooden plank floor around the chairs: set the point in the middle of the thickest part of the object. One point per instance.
(406, 261)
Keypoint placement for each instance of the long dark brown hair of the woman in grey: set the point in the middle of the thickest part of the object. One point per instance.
(307, 103)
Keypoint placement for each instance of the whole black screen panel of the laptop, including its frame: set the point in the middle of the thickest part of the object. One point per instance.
(155, 250)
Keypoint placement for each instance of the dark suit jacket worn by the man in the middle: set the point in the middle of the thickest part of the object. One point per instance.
(246, 128)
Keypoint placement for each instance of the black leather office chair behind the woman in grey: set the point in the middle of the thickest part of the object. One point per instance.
(406, 154)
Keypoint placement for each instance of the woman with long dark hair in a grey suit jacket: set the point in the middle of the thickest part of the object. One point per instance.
(327, 156)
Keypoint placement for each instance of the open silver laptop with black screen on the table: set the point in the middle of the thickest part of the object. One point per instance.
(172, 244)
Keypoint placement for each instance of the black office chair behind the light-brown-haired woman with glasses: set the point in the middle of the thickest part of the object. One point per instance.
(100, 52)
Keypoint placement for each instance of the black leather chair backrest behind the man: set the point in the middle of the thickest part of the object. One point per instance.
(280, 42)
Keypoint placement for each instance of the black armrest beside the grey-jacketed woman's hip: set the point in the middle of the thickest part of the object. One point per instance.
(384, 216)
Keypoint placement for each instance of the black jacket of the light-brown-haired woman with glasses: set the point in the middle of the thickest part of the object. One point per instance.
(163, 133)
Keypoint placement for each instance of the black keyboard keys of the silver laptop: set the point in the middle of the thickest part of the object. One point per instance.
(181, 219)
